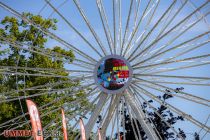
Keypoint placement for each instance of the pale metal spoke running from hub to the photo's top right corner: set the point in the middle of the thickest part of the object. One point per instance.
(169, 31)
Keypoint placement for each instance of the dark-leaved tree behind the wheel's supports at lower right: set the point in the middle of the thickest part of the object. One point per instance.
(163, 129)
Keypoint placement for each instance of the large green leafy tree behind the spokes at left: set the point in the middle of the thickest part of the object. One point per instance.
(15, 31)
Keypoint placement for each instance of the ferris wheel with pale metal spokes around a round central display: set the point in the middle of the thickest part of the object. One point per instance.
(127, 53)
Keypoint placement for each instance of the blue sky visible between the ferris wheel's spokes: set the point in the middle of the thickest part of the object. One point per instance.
(70, 12)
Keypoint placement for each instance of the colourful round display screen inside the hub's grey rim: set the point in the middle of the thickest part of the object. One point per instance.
(112, 74)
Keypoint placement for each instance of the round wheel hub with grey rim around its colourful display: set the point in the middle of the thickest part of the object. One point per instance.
(113, 74)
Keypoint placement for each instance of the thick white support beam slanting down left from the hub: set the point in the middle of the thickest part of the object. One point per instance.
(89, 126)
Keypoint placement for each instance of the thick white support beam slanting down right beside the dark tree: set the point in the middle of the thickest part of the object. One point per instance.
(140, 116)
